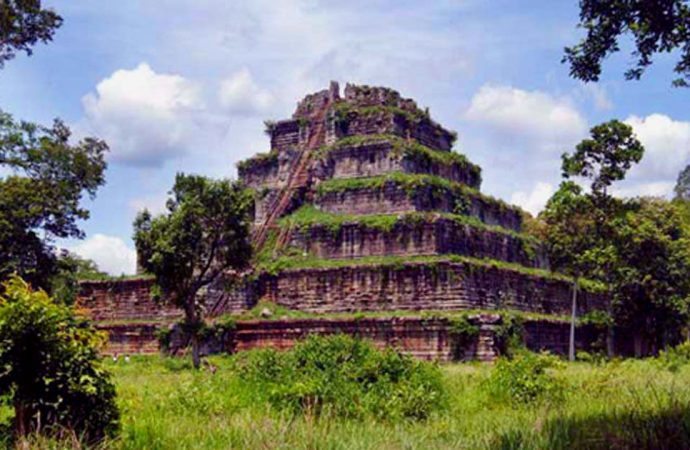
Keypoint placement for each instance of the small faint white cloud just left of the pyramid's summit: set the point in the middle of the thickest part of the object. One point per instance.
(239, 93)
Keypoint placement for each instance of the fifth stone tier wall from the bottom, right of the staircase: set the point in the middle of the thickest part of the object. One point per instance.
(378, 158)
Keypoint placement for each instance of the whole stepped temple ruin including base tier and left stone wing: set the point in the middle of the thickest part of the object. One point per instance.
(369, 223)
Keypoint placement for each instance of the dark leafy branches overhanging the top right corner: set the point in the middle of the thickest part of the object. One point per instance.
(657, 26)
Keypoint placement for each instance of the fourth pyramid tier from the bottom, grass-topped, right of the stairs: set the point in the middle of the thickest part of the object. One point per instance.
(400, 193)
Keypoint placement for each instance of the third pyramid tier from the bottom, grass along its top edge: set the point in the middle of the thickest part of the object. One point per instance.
(331, 236)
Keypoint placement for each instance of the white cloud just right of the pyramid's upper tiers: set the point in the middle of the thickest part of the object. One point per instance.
(534, 115)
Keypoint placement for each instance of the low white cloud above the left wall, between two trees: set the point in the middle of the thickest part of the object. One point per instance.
(110, 253)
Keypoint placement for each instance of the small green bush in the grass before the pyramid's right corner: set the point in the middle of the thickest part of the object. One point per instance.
(527, 378)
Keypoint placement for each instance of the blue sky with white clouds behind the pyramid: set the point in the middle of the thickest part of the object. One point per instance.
(178, 85)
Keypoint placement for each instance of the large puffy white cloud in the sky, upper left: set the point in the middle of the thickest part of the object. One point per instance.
(146, 117)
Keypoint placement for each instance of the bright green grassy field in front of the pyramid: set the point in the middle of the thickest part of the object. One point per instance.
(619, 404)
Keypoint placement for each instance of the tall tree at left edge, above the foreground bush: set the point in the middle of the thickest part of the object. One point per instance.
(40, 200)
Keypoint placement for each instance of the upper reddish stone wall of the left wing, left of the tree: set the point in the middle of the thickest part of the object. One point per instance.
(123, 300)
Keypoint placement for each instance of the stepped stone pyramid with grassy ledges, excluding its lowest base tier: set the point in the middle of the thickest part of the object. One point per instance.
(362, 205)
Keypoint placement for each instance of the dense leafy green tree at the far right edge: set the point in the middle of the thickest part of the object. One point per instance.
(652, 287)
